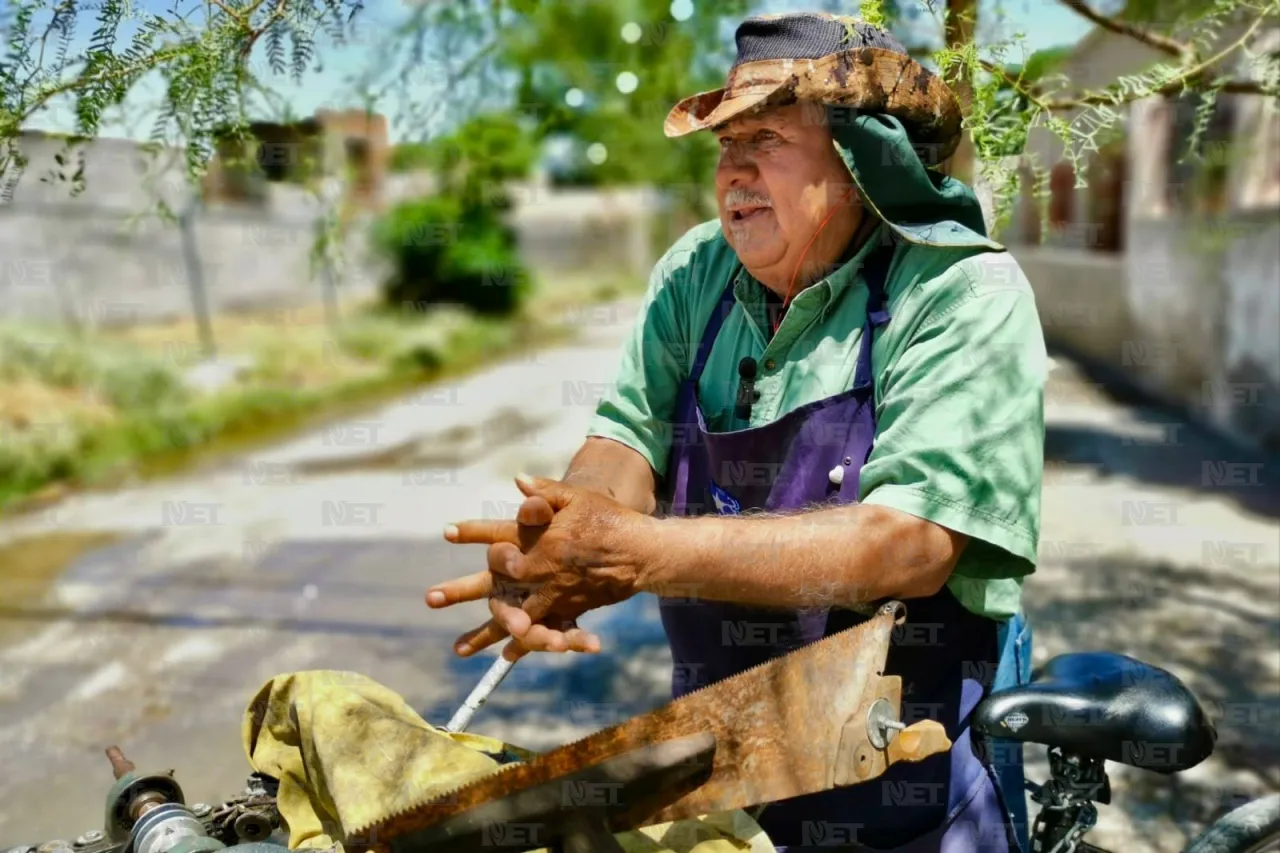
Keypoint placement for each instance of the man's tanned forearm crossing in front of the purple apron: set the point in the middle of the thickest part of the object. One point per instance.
(824, 559)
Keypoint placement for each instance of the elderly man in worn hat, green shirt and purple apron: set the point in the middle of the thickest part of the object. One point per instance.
(834, 396)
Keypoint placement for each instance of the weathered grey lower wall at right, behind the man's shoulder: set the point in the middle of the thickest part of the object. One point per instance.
(1191, 314)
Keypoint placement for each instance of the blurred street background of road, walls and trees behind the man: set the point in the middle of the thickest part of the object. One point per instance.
(285, 289)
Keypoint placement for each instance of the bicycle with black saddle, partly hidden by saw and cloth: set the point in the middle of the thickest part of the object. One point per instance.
(1089, 709)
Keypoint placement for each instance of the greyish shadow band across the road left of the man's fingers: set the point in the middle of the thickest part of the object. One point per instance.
(364, 587)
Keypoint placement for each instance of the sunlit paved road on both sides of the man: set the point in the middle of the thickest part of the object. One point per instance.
(317, 554)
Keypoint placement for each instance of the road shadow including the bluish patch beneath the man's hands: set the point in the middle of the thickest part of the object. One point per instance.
(362, 605)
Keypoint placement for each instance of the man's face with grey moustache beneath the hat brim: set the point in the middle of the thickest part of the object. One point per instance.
(779, 177)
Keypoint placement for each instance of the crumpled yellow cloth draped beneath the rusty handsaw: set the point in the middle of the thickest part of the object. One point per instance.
(349, 752)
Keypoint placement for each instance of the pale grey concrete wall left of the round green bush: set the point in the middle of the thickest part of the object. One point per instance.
(83, 261)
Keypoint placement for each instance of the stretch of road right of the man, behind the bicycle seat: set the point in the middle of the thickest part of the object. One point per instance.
(1140, 556)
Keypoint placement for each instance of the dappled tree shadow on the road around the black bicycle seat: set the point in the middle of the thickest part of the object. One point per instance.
(1219, 635)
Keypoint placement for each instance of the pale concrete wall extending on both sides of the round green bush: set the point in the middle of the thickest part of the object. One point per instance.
(76, 261)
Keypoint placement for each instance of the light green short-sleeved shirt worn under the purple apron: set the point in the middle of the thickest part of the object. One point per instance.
(959, 386)
